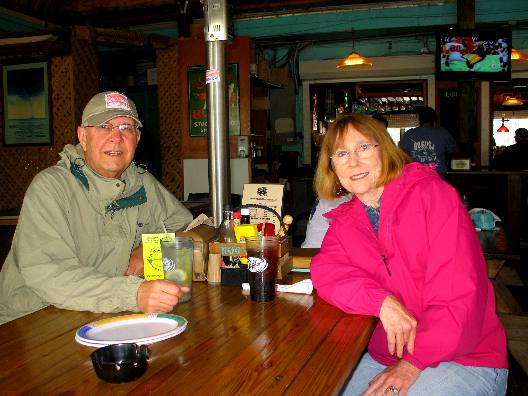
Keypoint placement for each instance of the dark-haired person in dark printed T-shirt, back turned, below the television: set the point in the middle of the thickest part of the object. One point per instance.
(428, 144)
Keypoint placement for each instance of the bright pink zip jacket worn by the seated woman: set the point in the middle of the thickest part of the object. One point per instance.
(427, 254)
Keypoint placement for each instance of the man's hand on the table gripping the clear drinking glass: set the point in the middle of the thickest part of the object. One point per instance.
(159, 296)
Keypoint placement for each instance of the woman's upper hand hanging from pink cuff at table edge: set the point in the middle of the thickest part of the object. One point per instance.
(399, 325)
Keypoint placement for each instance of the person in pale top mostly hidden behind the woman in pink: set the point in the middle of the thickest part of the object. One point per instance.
(317, 223)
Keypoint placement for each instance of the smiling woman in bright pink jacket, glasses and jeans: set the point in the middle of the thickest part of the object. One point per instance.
(404, 249)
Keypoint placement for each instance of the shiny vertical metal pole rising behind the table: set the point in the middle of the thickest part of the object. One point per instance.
(216, 36)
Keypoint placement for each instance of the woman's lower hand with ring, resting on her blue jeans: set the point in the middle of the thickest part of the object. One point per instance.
(395, 379)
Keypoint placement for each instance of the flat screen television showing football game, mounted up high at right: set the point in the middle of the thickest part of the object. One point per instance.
(473, 54)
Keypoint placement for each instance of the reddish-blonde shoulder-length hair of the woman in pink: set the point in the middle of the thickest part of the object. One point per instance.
(326, 183)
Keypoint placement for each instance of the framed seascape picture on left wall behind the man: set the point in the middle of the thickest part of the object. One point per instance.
(26, 104)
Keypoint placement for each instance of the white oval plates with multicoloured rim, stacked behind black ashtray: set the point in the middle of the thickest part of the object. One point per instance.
(137, 328)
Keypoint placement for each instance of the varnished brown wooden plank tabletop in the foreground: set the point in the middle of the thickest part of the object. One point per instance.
(295, 345)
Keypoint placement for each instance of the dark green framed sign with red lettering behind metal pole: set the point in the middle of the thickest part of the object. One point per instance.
(196, 76)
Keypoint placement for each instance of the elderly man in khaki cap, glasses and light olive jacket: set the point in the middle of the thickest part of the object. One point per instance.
(78, 240)
